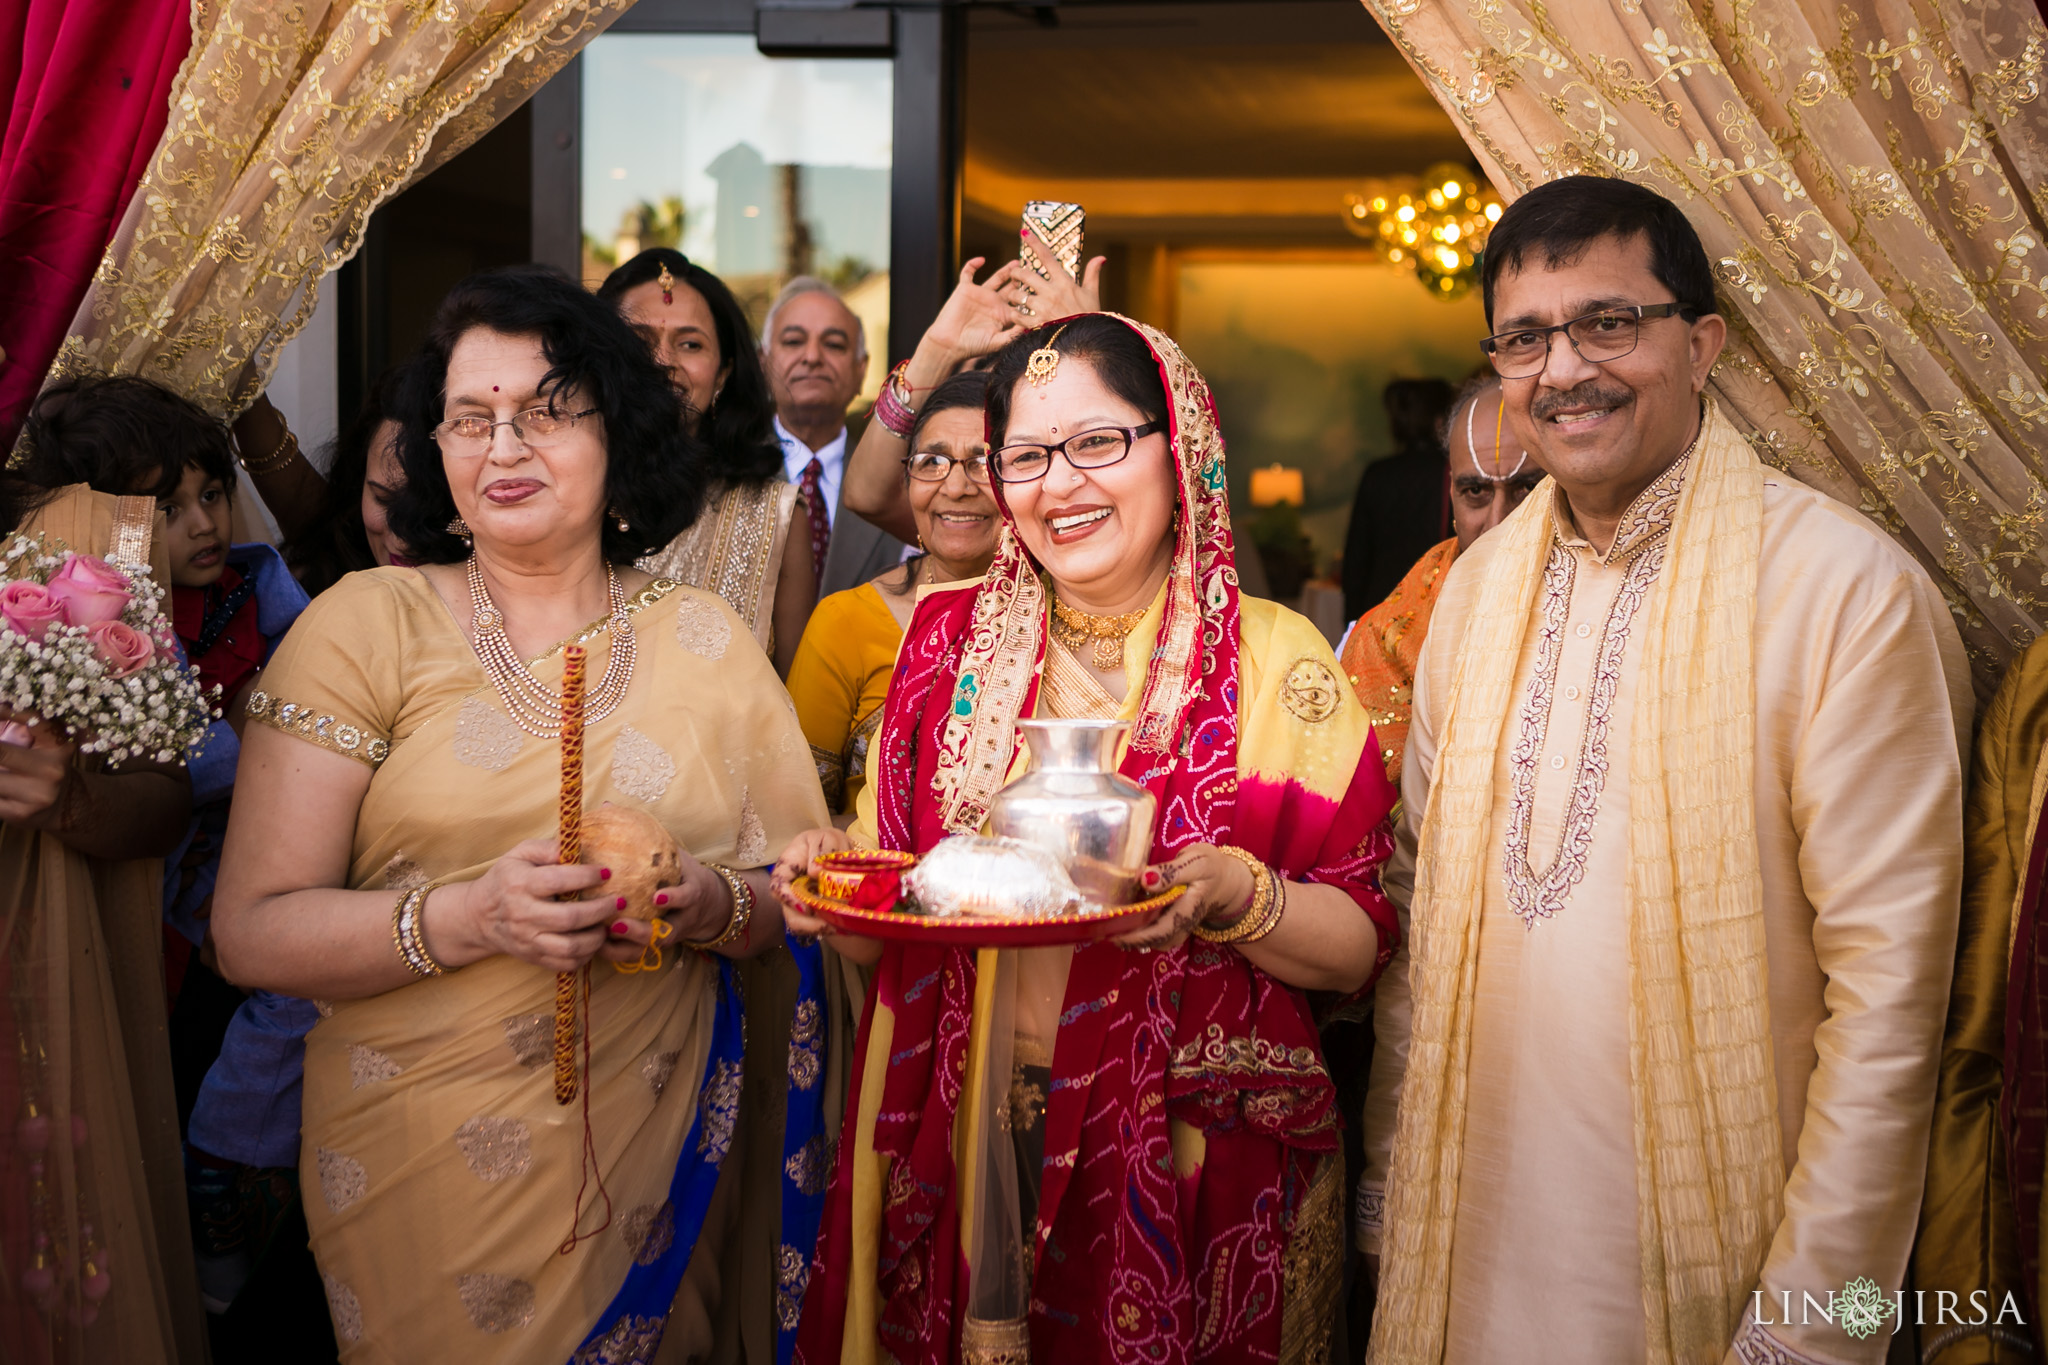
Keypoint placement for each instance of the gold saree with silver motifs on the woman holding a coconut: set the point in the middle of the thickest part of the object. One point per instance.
(445, 1172)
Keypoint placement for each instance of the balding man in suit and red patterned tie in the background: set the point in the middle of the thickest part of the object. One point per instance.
(816, 357)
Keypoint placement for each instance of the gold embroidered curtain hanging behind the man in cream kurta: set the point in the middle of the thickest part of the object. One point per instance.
(1873, 185)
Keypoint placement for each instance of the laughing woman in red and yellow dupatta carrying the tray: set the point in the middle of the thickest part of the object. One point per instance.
(1150, 1118)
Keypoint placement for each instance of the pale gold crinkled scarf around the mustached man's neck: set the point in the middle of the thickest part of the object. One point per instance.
(1709, 1157)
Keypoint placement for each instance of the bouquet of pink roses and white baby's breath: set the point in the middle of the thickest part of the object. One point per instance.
(85, 648)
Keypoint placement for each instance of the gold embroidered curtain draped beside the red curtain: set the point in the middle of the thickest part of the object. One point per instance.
(290, 124)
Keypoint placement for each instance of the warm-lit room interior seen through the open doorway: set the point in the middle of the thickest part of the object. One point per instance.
(1213, 146)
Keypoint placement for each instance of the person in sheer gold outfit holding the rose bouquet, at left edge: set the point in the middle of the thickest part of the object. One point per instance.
(95, 1249)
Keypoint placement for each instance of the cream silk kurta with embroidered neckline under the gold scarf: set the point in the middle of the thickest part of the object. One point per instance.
(1861, 697)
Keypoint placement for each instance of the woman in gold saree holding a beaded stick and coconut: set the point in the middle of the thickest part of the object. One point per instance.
(392, 856)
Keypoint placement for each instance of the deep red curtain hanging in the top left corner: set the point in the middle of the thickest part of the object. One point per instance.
(85, 91)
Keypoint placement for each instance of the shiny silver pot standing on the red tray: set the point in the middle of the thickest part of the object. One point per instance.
(1074, 805)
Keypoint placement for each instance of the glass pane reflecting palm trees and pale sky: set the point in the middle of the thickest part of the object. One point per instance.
(759, 169)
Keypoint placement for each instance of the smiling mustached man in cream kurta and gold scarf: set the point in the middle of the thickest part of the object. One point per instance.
(1682, 844)
